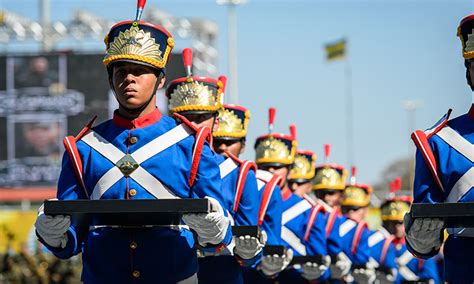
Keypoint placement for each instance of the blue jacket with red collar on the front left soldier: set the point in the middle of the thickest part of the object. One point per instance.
(123, 255)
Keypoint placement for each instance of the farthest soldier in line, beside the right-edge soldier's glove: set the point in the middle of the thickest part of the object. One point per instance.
(409, 267)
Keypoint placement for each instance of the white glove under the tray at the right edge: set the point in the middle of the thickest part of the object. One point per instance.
(423, 234)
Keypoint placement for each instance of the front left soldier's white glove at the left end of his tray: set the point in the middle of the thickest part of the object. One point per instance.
(52, 229)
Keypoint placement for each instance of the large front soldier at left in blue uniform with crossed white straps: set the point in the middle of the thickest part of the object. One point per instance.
(139, 154)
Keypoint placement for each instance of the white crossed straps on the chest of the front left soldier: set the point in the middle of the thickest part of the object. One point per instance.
(140, 175)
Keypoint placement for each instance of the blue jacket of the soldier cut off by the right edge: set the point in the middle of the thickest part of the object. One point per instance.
(451, 143)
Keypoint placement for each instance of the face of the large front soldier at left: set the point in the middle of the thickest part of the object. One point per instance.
(133, 84)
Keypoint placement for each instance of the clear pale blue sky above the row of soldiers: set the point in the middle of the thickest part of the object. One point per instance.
(398, 50)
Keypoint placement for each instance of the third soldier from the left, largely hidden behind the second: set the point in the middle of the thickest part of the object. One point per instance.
(230, 137)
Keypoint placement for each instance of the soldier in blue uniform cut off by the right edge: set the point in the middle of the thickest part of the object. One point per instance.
(443, 173)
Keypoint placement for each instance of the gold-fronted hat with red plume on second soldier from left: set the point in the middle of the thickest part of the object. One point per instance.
(194, 94)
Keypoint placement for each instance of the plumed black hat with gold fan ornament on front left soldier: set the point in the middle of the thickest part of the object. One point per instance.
(138, 42)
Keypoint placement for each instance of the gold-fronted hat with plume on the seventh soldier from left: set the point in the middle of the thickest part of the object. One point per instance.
(356, 194)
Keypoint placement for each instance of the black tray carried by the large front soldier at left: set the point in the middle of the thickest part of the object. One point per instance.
(126, 212)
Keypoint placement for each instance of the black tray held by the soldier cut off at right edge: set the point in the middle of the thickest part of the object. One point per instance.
(454, 214)
